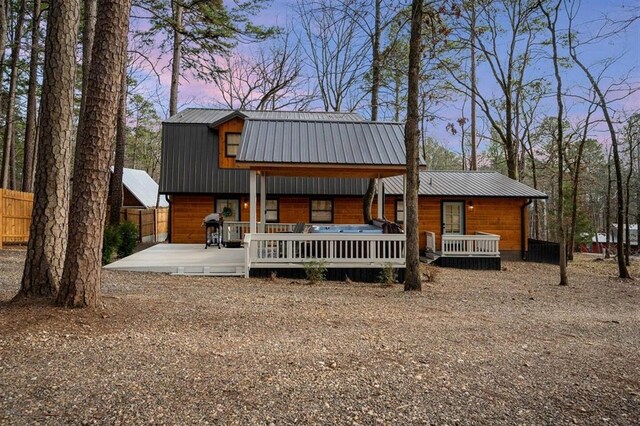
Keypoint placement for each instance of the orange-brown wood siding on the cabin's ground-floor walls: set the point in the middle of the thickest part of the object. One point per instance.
(499, 216)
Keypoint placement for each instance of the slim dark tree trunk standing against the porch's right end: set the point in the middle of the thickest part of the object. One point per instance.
(413, 276)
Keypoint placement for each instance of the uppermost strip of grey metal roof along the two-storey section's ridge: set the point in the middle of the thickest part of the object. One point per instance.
(211, 116)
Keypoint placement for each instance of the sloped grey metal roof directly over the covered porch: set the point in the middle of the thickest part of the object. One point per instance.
(322, 142)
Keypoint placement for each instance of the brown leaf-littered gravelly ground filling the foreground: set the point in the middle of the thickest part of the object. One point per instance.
(506, 347)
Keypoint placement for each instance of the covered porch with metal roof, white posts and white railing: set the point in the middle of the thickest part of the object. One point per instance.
(354, 150)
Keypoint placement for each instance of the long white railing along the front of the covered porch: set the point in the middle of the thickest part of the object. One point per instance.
(337, 250)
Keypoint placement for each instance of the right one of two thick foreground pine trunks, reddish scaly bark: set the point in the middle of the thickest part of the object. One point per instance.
(80, 285)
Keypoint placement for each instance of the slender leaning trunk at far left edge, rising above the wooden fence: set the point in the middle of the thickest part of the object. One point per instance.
(8, 164)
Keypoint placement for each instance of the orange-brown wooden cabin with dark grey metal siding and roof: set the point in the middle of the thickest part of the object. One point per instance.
(460, 212)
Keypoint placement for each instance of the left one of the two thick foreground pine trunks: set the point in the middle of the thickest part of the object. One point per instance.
(48, 233)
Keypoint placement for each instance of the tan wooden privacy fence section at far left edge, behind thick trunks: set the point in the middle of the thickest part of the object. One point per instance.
(15, 216)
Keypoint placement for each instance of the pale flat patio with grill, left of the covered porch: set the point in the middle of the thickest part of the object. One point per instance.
(186, 259)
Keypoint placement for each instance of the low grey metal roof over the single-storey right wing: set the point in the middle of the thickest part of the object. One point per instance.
(466, 184)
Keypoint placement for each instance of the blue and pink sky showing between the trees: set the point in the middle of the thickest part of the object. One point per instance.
(625, 46)
